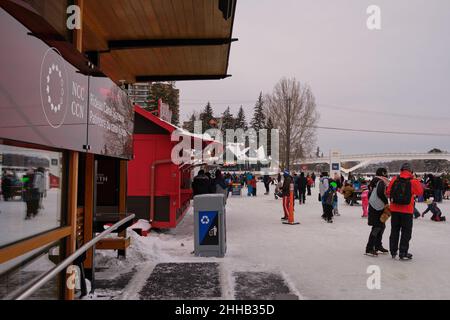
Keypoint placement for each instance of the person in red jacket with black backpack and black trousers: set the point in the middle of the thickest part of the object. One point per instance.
(402, 192)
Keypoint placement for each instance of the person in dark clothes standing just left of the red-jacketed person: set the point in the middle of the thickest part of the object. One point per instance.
(377, 202)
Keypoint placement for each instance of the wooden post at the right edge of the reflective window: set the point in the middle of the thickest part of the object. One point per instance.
(72, 211)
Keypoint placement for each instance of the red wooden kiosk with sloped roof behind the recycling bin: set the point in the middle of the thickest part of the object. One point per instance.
(158, 189)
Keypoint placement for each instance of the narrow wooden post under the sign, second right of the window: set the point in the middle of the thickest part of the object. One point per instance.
(89, 180)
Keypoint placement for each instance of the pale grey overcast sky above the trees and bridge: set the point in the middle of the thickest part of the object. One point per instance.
(402, 69)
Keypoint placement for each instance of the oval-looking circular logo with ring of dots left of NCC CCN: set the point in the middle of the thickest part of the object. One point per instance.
(54, 87)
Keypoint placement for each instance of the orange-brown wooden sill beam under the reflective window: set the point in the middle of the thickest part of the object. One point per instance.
(18, 249)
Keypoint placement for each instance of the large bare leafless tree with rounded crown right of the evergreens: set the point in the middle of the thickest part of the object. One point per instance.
(292, 108)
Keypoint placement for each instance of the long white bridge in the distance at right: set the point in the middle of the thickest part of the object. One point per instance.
(365, 159)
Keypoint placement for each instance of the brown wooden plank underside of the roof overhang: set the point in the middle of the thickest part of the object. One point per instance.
(159, 40)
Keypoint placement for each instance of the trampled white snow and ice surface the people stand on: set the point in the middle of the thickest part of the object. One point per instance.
(317, 260)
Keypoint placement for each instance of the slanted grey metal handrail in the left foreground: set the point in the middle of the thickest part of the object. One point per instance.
(21, 293)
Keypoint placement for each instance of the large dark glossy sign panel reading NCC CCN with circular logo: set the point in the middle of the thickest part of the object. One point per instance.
(46, 100)
